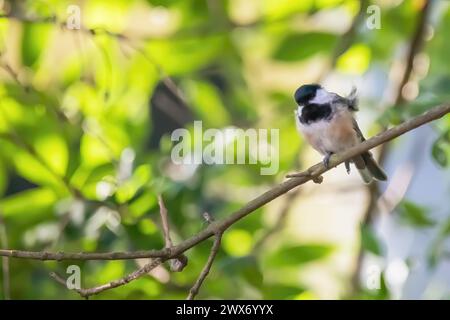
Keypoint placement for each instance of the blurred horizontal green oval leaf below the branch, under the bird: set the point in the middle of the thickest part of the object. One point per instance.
(296, 255)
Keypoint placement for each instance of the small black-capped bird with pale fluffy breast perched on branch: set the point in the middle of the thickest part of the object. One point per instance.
(326, 121)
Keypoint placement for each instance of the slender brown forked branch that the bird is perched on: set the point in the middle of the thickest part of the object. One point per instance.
(220, 226)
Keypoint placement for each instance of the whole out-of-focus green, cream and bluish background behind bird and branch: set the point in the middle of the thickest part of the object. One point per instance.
(85, 124)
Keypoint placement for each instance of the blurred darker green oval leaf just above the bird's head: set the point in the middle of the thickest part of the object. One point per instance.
(301, 46)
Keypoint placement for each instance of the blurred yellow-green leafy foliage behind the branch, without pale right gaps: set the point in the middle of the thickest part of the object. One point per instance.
(80, 110)
